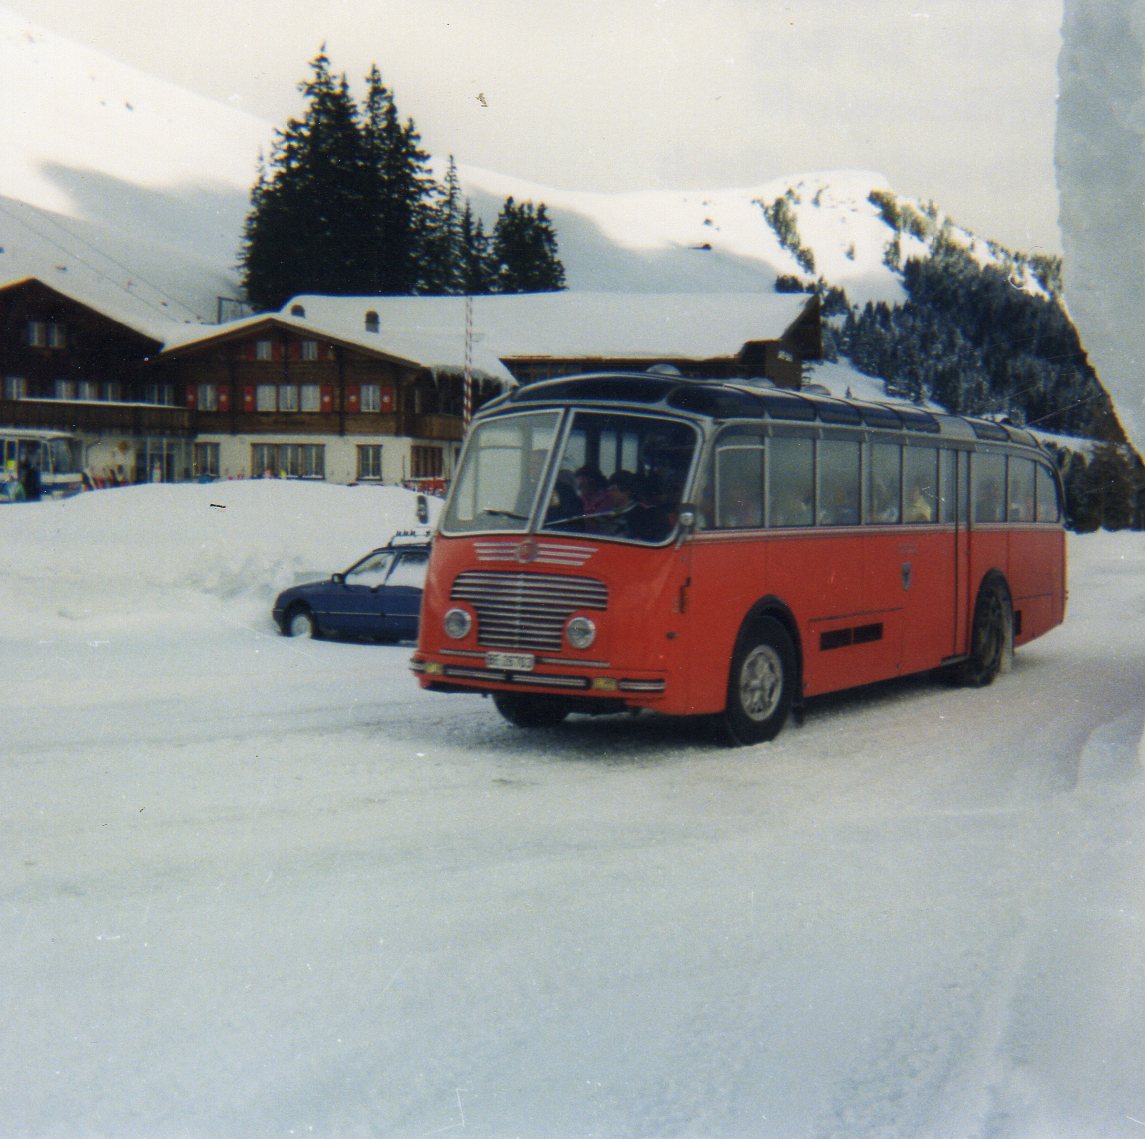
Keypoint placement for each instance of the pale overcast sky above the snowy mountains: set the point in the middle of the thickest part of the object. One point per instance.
(951, 100)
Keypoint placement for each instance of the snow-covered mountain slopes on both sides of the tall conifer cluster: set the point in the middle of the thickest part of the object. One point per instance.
(131, 193)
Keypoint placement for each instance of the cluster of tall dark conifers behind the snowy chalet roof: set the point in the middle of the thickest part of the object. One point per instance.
(348, 205)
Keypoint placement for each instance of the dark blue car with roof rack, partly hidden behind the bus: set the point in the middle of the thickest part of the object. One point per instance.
(377, 599)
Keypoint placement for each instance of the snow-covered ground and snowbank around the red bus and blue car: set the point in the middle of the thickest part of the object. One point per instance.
(258, 887)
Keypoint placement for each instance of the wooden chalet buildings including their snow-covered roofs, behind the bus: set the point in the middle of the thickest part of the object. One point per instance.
(351, 390)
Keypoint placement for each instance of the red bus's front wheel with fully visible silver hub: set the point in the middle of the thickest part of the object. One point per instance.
(761, 685)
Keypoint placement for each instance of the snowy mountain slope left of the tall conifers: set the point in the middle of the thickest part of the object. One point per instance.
(116, 187)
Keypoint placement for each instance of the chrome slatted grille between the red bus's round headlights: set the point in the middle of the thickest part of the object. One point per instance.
(527, 611)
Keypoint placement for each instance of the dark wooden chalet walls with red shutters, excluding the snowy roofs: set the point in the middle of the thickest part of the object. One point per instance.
(273, 394)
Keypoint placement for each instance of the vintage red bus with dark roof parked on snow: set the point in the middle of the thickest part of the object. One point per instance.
(752, 548)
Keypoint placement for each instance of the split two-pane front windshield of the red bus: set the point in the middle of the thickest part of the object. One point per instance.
(610, 474)
